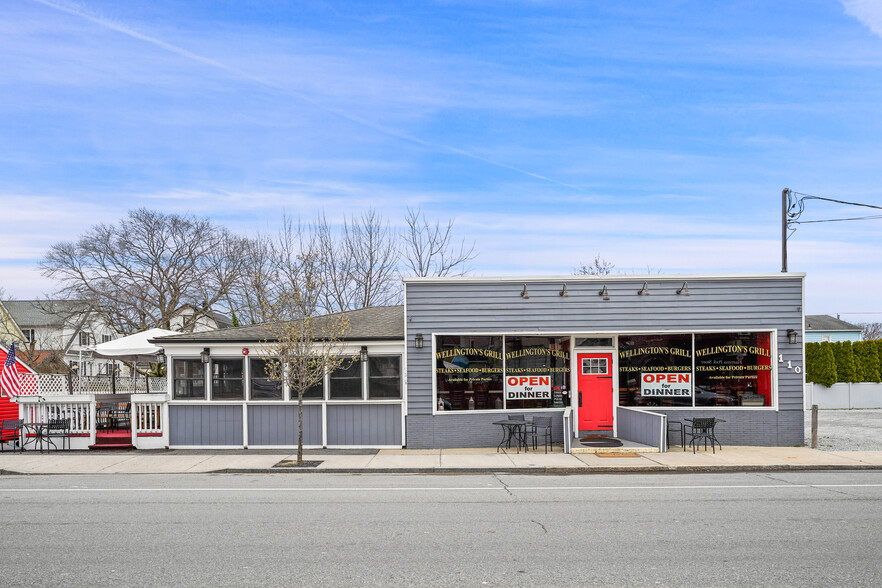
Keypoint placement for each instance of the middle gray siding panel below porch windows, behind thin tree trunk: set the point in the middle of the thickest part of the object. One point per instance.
(277, 425)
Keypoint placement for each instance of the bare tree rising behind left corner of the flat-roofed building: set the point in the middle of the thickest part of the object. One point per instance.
(429, 249)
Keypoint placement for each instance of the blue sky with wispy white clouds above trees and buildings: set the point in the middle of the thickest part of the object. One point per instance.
(656, 134)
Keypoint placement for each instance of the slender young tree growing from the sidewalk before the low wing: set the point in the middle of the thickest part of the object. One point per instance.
(302, 346)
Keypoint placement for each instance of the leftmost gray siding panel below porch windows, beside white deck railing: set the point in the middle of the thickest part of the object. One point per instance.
(205, 425)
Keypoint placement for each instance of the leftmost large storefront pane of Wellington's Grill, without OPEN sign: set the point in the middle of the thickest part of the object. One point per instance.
(468, 372)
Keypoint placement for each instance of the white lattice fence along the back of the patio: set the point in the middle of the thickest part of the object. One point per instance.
(62, 385)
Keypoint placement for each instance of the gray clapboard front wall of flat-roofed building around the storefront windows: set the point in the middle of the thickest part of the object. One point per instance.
(715, 304)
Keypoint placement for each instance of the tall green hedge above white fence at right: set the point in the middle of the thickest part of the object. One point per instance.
(828, 363)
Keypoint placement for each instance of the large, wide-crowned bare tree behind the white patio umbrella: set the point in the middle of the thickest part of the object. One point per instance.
(135, 274)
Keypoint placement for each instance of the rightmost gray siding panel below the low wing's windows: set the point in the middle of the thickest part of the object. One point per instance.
(364, 424)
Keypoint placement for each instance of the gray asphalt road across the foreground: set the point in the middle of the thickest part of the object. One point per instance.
(796, 529)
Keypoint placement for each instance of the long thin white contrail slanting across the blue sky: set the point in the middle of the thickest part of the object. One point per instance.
(77, 11)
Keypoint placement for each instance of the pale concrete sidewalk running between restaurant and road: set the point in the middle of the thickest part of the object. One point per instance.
(436, 461)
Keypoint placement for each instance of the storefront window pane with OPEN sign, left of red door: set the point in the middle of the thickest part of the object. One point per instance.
(537, 372)
